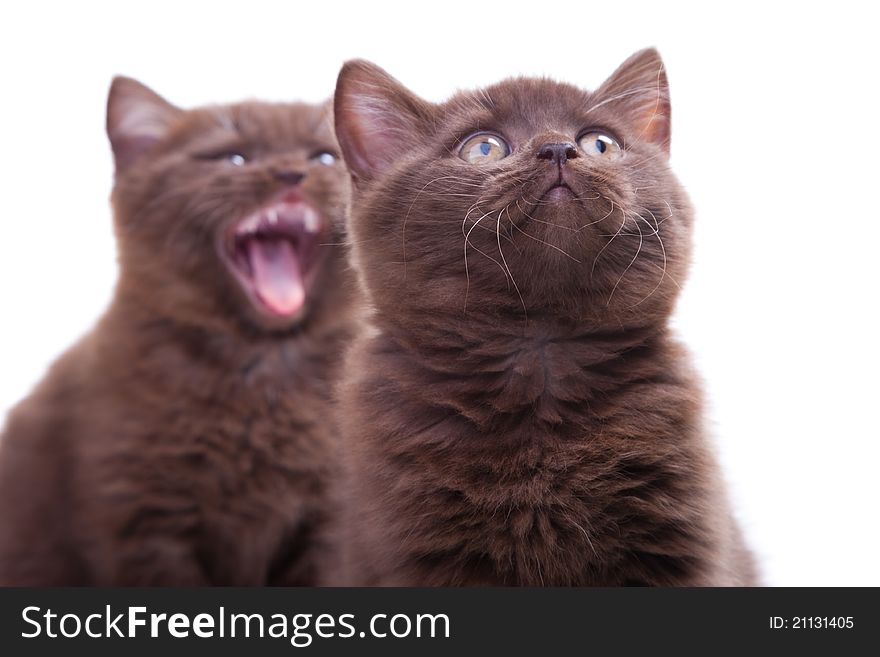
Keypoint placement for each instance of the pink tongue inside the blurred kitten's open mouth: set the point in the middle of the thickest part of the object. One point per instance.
(277, 274)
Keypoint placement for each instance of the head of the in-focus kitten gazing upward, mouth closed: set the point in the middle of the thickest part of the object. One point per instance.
(530, 198)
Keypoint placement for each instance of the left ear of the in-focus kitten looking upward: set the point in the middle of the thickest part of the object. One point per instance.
(377, 118)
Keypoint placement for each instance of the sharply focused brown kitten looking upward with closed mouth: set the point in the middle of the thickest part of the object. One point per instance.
(518, 412)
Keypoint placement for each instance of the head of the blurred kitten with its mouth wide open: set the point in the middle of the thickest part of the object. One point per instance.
(227, 215)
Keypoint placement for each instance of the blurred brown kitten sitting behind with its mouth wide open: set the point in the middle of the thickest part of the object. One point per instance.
(187, 439)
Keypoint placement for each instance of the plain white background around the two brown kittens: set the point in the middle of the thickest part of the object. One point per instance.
(775, 135)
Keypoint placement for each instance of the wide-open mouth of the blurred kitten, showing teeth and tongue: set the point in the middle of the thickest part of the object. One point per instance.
(272, 252)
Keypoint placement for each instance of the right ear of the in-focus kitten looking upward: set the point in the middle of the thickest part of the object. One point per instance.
(639, 88)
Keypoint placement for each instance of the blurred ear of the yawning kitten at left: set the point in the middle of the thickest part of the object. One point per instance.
(137, 117)
